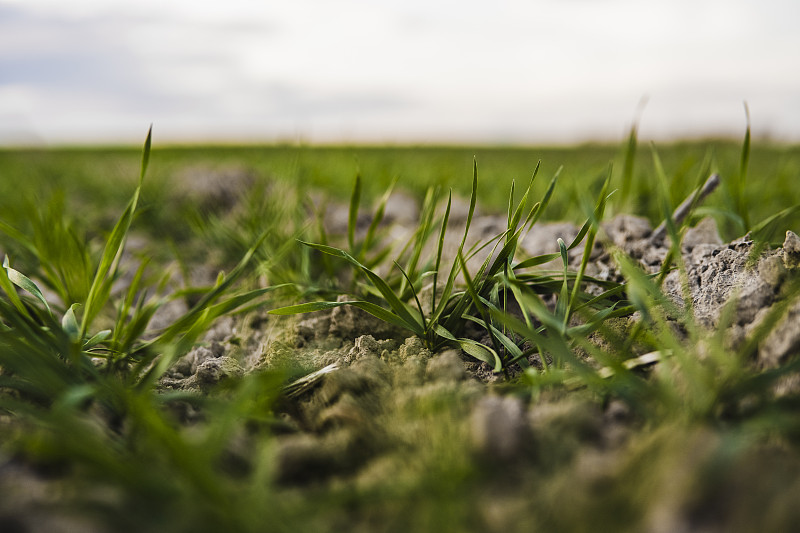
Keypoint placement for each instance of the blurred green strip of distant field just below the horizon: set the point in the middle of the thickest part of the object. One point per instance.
(98, 180)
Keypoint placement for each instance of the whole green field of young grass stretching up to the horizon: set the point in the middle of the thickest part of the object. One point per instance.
(634, 416)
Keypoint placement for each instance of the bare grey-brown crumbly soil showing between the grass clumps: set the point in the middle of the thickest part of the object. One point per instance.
(354, 416)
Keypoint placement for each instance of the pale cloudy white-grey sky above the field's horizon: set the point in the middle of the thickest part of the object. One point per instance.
(391, 71)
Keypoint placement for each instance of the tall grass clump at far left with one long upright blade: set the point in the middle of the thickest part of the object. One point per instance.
(47, 356)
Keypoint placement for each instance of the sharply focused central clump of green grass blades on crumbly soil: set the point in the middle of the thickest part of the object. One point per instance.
(396, 299)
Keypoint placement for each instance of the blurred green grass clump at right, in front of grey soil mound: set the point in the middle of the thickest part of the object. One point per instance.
(695, 376)
